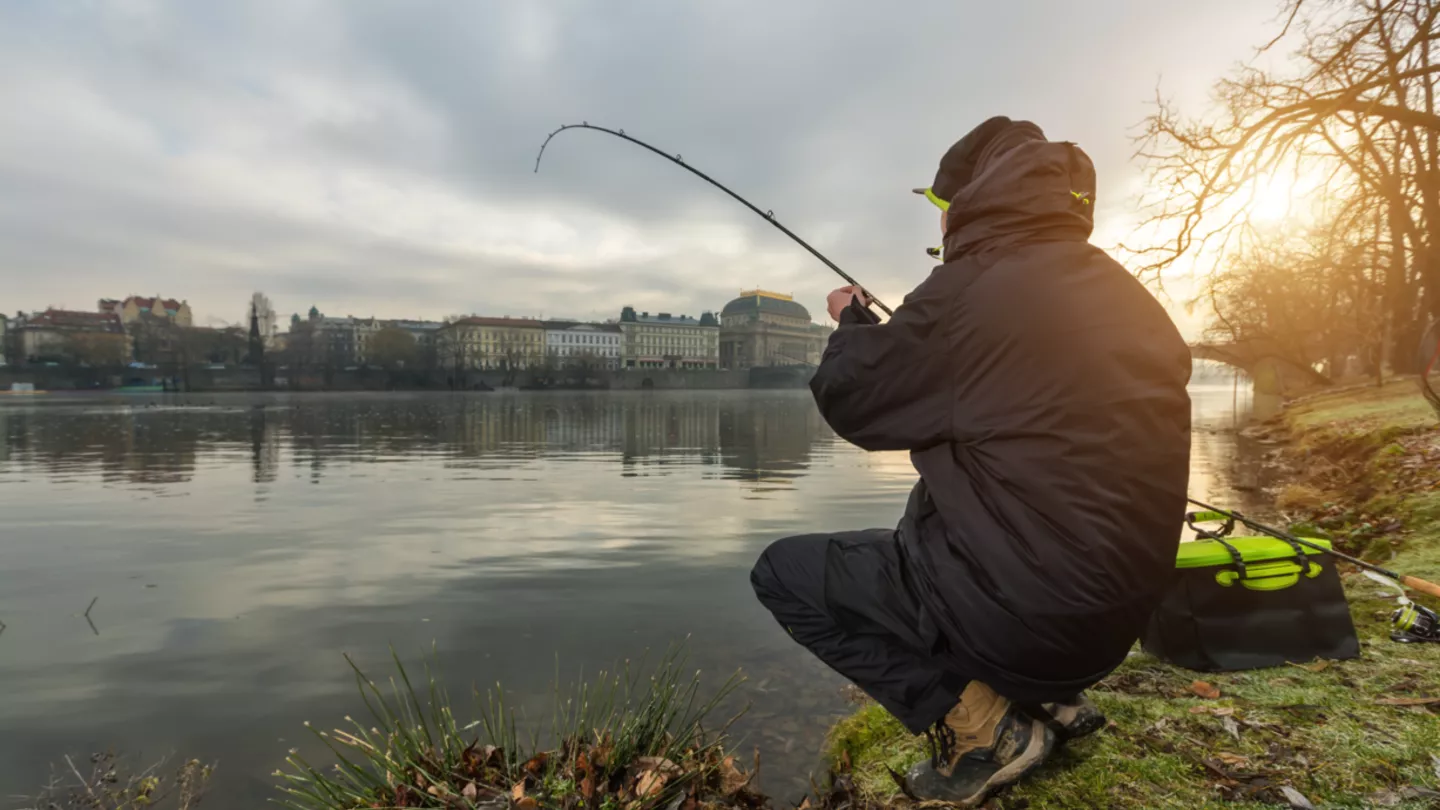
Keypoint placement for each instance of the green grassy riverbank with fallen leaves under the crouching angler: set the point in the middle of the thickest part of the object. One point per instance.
(1362, 468)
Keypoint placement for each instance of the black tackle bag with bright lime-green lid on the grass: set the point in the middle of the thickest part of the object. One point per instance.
(1251, 603)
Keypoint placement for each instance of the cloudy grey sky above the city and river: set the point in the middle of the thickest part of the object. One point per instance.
(378, 158)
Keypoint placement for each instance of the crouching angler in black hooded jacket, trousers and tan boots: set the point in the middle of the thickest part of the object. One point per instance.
(1040, 391)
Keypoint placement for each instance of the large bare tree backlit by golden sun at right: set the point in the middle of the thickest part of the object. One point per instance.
(1353, 122)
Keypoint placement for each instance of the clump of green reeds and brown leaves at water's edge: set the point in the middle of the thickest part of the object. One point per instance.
(621, 742)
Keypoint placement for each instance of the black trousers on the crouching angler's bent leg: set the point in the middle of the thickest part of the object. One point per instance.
(843, 597)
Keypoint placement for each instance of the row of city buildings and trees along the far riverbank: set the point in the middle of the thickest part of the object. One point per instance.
(760, 329)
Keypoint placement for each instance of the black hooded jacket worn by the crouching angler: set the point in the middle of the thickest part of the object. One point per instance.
(1040, 391)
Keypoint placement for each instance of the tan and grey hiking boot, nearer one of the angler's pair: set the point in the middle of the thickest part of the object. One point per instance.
(983, 746)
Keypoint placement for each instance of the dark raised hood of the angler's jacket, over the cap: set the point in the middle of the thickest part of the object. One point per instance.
(1025, 190)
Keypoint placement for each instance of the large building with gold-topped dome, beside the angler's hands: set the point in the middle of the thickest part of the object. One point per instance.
(770, 329)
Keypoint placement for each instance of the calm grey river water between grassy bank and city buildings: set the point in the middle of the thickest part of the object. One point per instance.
(238, 547)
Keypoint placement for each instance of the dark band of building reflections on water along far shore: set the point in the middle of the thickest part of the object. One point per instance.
(758, 439)
